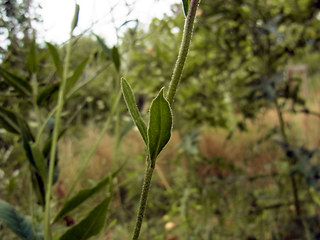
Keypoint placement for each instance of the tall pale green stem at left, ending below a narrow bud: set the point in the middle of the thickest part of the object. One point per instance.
(47, 231)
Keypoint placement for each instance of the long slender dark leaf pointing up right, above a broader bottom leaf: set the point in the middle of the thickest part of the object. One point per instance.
(83, 195)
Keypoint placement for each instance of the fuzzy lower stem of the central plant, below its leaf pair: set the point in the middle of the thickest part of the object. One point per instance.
(143, 199)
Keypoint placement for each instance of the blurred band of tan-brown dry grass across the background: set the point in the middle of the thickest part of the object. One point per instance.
(241, 150)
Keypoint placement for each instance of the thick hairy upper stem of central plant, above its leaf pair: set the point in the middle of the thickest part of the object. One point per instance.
(183, 52)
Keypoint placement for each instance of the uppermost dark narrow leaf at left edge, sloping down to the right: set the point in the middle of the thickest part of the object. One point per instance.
(20, 85)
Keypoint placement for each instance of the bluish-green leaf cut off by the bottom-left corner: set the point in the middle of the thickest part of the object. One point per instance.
(17, 223)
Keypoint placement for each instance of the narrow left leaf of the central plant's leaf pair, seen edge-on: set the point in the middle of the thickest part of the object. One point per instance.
(133, 109)
